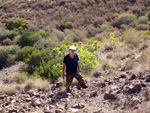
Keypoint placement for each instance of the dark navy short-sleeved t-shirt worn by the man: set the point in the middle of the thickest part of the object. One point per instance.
(71, 64)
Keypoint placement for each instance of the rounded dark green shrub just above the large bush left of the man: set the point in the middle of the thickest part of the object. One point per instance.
(28, 39)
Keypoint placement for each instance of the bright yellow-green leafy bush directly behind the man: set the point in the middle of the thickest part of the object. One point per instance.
(86, 55)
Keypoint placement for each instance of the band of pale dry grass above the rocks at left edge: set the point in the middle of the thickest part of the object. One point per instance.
(33, 83)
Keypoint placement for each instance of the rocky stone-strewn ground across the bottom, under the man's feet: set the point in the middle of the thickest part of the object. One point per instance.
(125, 93)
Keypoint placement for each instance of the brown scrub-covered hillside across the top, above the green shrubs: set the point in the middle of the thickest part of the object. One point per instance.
(81, 13)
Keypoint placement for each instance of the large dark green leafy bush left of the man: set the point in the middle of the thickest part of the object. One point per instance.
(41, 61)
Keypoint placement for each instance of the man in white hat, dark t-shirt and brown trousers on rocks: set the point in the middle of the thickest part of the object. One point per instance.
(71, 61)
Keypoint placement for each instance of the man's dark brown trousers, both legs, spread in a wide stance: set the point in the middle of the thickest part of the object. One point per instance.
(69, 79)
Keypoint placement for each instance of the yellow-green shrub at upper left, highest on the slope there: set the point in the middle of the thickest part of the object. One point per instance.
(16, 24)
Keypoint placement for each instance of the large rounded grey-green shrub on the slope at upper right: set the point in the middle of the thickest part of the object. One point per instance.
(127, 19)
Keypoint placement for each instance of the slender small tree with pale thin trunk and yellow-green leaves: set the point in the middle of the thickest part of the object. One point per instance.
(112, 43)
